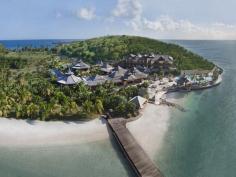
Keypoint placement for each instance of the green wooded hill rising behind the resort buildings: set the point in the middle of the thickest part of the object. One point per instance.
(114, 48)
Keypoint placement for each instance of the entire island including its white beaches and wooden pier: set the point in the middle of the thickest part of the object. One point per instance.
(57, 89)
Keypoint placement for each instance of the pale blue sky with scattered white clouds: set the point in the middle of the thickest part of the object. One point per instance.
(82, 19)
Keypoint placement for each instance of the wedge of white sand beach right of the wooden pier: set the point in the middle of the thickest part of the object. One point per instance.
(149, 130)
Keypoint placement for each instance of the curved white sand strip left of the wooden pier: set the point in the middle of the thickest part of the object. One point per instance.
(23, 132)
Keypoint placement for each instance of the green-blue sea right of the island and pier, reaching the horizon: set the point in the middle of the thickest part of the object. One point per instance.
(202, 141)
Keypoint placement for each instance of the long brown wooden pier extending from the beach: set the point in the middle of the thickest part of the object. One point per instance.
(138, 159)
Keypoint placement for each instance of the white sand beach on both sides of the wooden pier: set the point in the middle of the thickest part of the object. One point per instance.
(149, 130)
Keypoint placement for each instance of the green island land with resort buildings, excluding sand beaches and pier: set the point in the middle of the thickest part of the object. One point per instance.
(83, 79)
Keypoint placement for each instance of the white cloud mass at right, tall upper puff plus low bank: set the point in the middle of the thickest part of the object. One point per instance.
(131, 13)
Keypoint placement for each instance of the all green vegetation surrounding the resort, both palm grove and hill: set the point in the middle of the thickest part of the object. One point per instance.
(27, 90)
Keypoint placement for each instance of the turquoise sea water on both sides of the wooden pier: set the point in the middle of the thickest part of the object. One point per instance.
(200, 142)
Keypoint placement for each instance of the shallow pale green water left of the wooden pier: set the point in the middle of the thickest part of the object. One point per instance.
(98, 159)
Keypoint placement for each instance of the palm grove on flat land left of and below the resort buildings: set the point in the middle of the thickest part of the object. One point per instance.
(30, 91)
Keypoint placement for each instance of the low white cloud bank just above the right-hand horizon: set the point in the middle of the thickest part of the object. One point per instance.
(186, 29)
